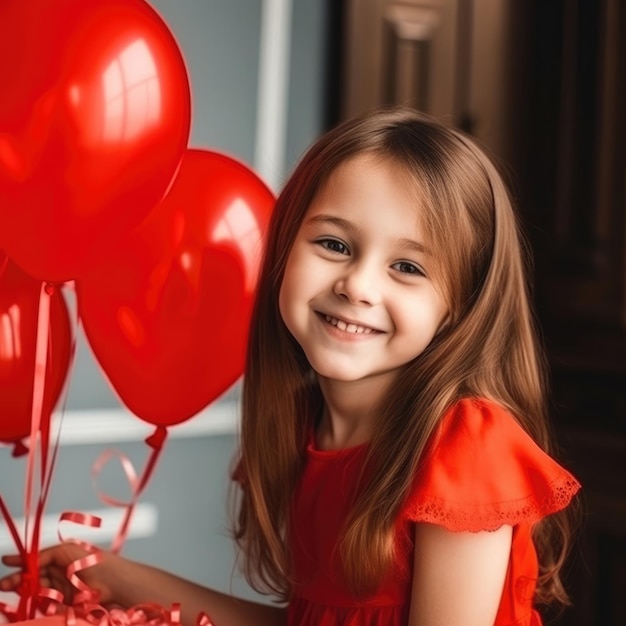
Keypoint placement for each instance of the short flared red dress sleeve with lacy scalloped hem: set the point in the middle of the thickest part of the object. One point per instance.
(482, 470)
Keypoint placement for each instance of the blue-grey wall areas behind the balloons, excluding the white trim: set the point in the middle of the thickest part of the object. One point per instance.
(220, 42)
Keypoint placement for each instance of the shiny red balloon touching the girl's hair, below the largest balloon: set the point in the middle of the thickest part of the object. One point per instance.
(167, 314)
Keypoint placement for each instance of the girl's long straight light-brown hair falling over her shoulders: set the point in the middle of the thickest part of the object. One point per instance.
(488, 349)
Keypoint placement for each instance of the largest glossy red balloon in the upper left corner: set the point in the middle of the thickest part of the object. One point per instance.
(94, 119)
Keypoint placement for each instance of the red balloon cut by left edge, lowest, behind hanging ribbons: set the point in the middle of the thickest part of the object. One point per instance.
(19, 311)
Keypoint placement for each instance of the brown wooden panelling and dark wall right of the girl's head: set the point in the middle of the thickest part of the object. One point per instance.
(541, 85)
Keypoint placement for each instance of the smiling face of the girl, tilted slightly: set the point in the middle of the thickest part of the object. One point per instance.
(359, 293)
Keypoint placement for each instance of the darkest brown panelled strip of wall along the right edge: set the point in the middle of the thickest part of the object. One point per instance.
(572, 196)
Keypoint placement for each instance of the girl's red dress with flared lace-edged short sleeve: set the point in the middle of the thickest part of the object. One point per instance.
(482, 471)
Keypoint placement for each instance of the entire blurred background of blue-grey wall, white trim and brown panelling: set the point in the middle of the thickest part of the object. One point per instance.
(540, 85)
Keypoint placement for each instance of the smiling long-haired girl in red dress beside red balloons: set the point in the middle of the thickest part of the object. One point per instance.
(394, 463)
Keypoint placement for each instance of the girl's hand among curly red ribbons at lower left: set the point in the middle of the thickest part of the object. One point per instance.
(53, 564)
